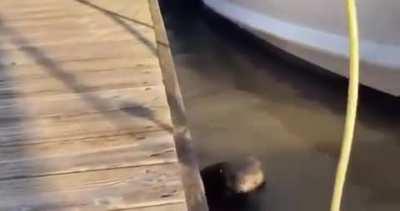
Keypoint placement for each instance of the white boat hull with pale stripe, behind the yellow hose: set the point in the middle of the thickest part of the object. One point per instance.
(316, 31)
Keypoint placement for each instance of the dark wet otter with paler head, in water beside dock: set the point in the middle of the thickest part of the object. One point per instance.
(235, 178)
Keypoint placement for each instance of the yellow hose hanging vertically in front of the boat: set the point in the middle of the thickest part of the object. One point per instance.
(352, 102)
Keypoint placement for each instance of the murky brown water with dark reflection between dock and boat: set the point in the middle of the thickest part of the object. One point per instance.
(241, 99)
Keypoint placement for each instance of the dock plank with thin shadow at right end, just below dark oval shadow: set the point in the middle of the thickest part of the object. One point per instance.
(15, 131)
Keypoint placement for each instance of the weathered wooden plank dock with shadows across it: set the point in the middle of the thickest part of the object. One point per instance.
(85, 116)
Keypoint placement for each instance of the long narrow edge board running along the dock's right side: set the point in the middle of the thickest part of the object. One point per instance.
(195, 196)
